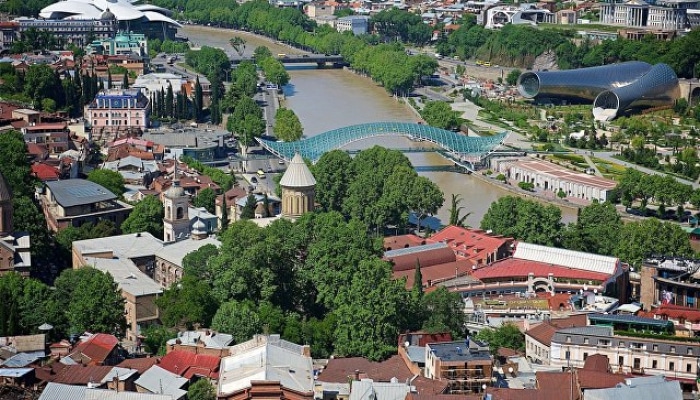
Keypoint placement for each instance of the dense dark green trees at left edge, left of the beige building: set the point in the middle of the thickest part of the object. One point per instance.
(83, 300)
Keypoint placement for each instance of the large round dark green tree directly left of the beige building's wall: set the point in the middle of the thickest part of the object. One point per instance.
(91, 300)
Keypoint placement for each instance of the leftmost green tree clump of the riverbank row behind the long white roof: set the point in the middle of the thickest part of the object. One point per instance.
(524, 220)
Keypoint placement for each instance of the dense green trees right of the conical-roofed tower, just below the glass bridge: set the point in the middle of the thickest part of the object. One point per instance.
(378, 187)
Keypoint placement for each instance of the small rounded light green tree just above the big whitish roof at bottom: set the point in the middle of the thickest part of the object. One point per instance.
(240, 319)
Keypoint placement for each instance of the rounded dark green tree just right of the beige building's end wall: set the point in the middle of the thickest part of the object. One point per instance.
(187, 303)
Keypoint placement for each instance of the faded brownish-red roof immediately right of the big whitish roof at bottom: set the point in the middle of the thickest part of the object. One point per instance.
(339, 370)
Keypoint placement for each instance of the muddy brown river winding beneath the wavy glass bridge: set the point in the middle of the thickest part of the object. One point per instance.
(333, 98)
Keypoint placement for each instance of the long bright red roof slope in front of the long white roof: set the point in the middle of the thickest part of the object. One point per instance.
(513, 267)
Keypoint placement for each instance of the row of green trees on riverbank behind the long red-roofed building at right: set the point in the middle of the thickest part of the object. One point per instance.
(598, 229)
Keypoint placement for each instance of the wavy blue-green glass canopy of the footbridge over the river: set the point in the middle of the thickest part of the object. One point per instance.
(313, 148)
